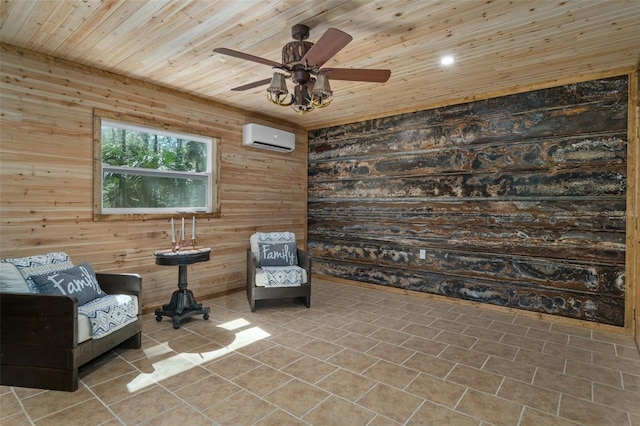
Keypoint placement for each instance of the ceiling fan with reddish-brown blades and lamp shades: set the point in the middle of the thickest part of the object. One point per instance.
(302, 62)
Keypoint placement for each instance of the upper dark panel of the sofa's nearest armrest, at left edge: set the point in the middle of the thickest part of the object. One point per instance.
(38, 319)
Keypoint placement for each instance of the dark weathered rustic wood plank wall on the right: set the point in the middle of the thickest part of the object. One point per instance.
(519, 201)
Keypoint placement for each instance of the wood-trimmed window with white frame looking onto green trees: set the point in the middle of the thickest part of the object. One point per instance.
(153, 170)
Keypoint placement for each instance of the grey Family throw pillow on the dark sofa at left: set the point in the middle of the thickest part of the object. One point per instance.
(79, 281)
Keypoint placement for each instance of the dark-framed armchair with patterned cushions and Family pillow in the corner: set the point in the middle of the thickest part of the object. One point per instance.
(277, 269)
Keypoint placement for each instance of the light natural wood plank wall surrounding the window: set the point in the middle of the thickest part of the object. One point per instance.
(46, 176)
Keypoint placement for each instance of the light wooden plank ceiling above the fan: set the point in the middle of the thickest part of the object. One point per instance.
(498, 45)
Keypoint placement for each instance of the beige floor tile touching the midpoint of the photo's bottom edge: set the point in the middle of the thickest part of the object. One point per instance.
(336, 411)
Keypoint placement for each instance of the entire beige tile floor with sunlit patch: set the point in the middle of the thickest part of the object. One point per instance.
(357, 357)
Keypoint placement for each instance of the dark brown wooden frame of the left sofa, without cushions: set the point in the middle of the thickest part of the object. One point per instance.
(39, 341)
